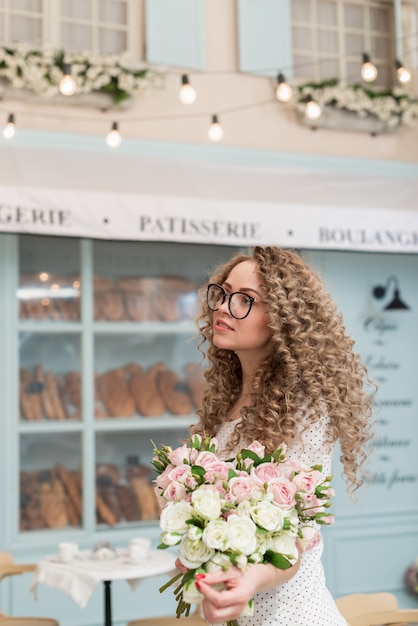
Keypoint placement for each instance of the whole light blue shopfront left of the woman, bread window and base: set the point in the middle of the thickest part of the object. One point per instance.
(99, 358)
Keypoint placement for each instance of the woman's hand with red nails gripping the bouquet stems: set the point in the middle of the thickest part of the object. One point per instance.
(239, 587)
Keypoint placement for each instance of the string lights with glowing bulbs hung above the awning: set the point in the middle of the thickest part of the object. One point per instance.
(187, 95)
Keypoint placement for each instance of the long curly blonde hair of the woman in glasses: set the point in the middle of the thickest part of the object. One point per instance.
(310, 366)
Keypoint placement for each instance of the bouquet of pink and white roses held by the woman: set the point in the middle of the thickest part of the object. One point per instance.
(254, 508)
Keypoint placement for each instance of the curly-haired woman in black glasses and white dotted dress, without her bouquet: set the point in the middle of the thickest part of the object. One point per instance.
(281, 369)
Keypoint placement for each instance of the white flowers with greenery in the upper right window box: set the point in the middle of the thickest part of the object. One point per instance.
(392, 107)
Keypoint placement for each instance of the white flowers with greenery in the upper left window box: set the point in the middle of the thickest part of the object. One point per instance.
(40, 71)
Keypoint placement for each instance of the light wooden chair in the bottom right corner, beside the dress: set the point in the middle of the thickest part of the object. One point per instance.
(375, 609)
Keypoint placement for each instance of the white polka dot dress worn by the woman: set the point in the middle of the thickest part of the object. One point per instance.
(304, 600)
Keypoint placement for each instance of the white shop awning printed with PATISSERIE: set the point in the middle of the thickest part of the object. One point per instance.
(192, 194)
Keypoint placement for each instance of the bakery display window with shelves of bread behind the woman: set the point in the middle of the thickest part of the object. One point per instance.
(108, 363)
